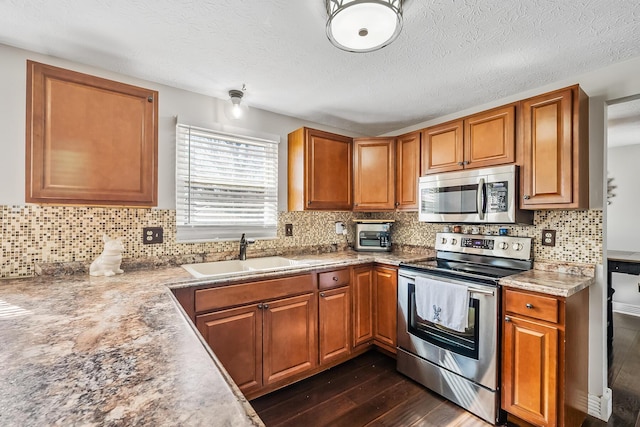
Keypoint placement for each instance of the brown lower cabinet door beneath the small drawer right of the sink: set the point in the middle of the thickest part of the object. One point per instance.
(334, 308)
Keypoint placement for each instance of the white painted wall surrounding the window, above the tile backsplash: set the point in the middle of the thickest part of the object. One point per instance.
(190, 107)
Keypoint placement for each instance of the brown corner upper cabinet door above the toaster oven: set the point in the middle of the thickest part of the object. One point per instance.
(374, 174)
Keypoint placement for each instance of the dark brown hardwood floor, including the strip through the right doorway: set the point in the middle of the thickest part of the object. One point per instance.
(367, 391)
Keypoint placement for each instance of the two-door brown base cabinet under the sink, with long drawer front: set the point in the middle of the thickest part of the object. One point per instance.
(265, 342)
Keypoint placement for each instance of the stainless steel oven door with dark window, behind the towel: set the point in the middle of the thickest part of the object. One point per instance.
(472, 353)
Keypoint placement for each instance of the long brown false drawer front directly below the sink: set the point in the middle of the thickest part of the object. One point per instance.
(246, 293)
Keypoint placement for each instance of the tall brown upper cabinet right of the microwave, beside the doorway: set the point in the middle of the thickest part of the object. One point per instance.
(555, 146)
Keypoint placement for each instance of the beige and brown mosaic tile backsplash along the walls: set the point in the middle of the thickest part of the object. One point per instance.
(32, 234)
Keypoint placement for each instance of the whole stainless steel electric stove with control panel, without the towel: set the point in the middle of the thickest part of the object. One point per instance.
(461, 366)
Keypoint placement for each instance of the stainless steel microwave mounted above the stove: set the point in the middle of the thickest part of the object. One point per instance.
(477, 196)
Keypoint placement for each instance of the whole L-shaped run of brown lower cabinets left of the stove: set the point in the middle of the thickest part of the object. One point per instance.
(270, 333)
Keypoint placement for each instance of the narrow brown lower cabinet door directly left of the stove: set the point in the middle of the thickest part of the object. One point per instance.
(385, 297)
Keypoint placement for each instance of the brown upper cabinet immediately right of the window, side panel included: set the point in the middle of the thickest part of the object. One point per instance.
(319, 171)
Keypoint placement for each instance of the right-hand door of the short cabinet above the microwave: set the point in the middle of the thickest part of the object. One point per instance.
(490, 138)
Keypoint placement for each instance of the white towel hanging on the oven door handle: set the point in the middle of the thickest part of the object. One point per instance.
(443, 303)
